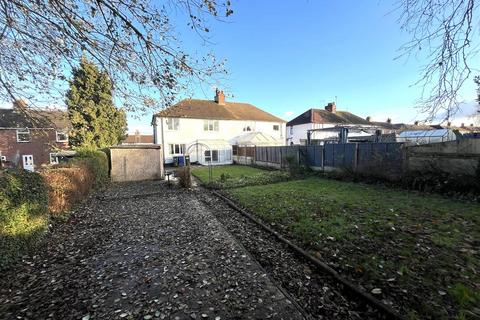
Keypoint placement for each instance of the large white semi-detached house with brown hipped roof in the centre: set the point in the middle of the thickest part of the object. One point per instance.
(205, 130)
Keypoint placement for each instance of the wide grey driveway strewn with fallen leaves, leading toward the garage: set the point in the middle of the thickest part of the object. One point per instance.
(142, 251)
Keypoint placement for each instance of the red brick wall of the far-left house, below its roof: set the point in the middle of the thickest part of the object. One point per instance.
(42, 143)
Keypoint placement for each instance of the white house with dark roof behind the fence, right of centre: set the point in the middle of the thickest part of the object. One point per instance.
(318, 121)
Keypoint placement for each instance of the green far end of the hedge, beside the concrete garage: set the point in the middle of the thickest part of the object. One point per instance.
(97, 163)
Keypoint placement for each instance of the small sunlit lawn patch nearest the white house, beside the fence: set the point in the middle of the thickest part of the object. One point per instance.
(232, 176)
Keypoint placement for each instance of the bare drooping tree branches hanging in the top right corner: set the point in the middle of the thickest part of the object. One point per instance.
(446, 31)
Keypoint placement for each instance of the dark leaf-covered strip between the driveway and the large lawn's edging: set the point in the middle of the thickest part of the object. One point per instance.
(317, 294)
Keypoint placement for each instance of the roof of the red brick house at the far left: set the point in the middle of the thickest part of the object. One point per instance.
(34, 118)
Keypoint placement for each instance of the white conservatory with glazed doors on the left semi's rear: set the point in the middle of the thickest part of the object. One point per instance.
(206, 152)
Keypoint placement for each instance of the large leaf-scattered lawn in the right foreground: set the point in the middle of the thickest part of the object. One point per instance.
(422, 251)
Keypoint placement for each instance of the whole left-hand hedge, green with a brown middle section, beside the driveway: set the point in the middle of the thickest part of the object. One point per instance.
(29, 199)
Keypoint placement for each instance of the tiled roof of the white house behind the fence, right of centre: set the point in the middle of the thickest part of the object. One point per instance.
(324, 116)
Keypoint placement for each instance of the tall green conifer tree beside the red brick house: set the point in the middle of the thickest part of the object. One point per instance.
(96, 122)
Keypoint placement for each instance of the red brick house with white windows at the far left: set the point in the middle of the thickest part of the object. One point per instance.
(30, 138)
